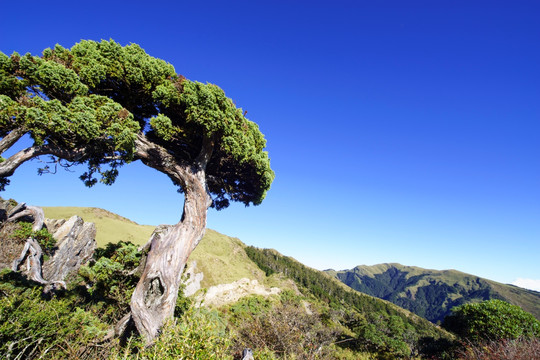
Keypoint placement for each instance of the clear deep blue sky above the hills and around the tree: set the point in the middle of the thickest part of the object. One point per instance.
(399, 131)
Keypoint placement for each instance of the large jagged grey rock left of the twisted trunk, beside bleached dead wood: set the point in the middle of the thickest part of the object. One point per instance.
(75, 246)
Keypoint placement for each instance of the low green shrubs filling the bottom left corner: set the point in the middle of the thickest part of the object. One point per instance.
(32, 327)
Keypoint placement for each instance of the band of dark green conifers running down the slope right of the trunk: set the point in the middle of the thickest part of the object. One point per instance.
(379, 327)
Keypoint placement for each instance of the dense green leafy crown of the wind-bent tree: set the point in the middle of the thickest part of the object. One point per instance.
(92, 103)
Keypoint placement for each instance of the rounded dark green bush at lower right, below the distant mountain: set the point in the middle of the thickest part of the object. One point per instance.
(492, 320)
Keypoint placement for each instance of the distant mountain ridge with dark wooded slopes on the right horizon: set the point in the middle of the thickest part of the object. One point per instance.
(432, 293)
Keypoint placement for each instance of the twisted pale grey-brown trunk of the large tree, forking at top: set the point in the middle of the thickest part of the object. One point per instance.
(154, 298)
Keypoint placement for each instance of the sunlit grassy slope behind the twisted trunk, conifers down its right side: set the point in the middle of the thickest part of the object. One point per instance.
(361, 323)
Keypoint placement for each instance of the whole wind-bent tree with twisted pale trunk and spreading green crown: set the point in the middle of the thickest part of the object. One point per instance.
(104, 105)
